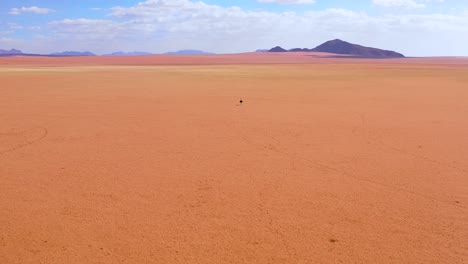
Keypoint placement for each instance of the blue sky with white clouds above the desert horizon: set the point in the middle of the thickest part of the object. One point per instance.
(412, 27)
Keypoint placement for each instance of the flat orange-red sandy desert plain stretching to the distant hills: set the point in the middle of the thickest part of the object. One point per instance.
(154, 160)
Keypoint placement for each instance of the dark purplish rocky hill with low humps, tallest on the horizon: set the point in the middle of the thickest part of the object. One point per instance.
(338, 46)
